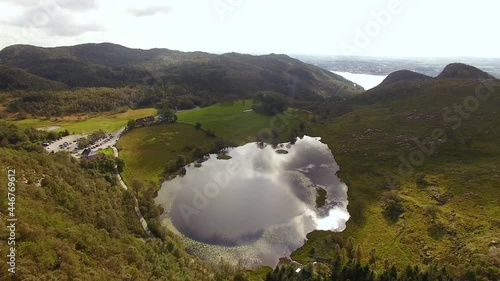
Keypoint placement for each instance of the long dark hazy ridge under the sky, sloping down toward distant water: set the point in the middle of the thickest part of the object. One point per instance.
(110, 65)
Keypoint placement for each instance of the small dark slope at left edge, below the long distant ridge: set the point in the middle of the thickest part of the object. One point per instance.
(15, 78)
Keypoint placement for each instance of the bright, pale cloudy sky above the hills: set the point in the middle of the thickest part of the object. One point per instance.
(384, 28)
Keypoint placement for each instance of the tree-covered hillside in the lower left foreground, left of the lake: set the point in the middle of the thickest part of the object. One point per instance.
(76, 223)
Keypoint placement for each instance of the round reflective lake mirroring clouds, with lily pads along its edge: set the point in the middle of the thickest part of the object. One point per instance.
(257, 206)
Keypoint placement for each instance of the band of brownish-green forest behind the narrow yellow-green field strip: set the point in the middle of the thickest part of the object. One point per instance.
(99, 100)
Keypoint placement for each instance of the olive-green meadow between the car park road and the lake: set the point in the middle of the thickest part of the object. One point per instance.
(147, 150)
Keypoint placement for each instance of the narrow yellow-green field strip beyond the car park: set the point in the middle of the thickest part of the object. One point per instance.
(109, 123)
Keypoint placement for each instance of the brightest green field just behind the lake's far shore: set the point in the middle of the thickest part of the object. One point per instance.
(230, 122)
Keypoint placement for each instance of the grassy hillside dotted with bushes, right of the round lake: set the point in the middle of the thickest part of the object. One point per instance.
(423, 178)
